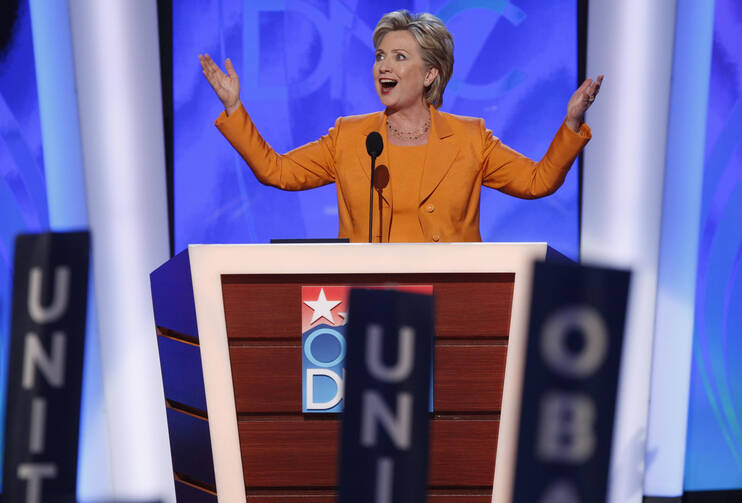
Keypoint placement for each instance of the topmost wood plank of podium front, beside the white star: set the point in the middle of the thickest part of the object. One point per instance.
(268, 306)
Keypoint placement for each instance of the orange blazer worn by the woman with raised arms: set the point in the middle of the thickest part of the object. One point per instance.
(461, 156)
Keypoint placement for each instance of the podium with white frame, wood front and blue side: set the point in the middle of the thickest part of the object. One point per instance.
(229, 335)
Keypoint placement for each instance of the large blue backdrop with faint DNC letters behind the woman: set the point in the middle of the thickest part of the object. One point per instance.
(303, 63)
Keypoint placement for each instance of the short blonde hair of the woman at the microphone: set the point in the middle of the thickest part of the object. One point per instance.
(435, 41)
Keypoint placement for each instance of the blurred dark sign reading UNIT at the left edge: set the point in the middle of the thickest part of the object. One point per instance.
(50, 283)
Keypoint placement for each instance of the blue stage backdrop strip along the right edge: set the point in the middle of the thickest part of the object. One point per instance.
(714, 446)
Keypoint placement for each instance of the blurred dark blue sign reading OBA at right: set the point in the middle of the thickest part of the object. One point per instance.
(569, 391)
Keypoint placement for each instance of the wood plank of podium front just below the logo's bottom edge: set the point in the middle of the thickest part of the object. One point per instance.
(285, 454)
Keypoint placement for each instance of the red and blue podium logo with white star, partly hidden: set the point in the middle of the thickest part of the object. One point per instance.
(324, 314)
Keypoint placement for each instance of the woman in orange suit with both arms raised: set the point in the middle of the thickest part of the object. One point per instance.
(432, 164)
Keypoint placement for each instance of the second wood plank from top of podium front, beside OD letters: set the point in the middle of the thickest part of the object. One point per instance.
(267, 379)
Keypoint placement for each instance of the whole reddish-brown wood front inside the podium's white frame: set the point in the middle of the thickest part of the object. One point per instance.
(291, 457)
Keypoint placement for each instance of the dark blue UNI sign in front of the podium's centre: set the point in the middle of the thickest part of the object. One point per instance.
(384, 440)
